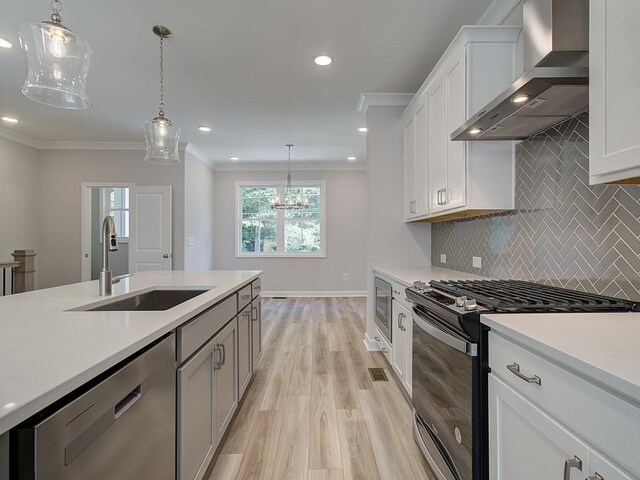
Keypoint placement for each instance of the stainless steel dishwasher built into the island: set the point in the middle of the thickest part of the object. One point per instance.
(122, 428)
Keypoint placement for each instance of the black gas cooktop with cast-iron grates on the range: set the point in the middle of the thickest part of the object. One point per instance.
(520, 296)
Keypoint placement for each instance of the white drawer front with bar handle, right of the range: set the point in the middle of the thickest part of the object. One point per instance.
(603, 419)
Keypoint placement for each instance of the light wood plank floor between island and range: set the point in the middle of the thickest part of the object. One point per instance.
(312, 411)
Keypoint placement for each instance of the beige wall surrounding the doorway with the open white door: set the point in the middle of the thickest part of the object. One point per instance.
(61, 174)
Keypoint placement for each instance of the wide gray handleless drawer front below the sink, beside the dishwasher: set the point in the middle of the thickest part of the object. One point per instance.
(195, 333)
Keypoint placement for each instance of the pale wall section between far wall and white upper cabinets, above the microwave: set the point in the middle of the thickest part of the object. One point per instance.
(391, 241)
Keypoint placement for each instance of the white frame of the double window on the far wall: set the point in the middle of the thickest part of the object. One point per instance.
(280, 220)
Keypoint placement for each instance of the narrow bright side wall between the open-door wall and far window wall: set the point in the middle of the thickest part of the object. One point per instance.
(198, 213)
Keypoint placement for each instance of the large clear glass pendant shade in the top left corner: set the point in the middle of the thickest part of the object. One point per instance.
(57, 63)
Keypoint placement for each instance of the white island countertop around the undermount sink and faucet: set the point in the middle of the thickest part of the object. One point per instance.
(47, 351)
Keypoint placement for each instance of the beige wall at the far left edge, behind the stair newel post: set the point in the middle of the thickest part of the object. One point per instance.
(19, 199)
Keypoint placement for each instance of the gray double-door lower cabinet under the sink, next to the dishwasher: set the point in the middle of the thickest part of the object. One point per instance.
(207, 400)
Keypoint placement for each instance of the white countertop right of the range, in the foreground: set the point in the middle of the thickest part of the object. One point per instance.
(600, 346)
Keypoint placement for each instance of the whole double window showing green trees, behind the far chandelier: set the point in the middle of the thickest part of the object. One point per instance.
(263, 231)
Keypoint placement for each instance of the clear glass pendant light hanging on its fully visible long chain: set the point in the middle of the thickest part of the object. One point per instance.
(161, 134)
